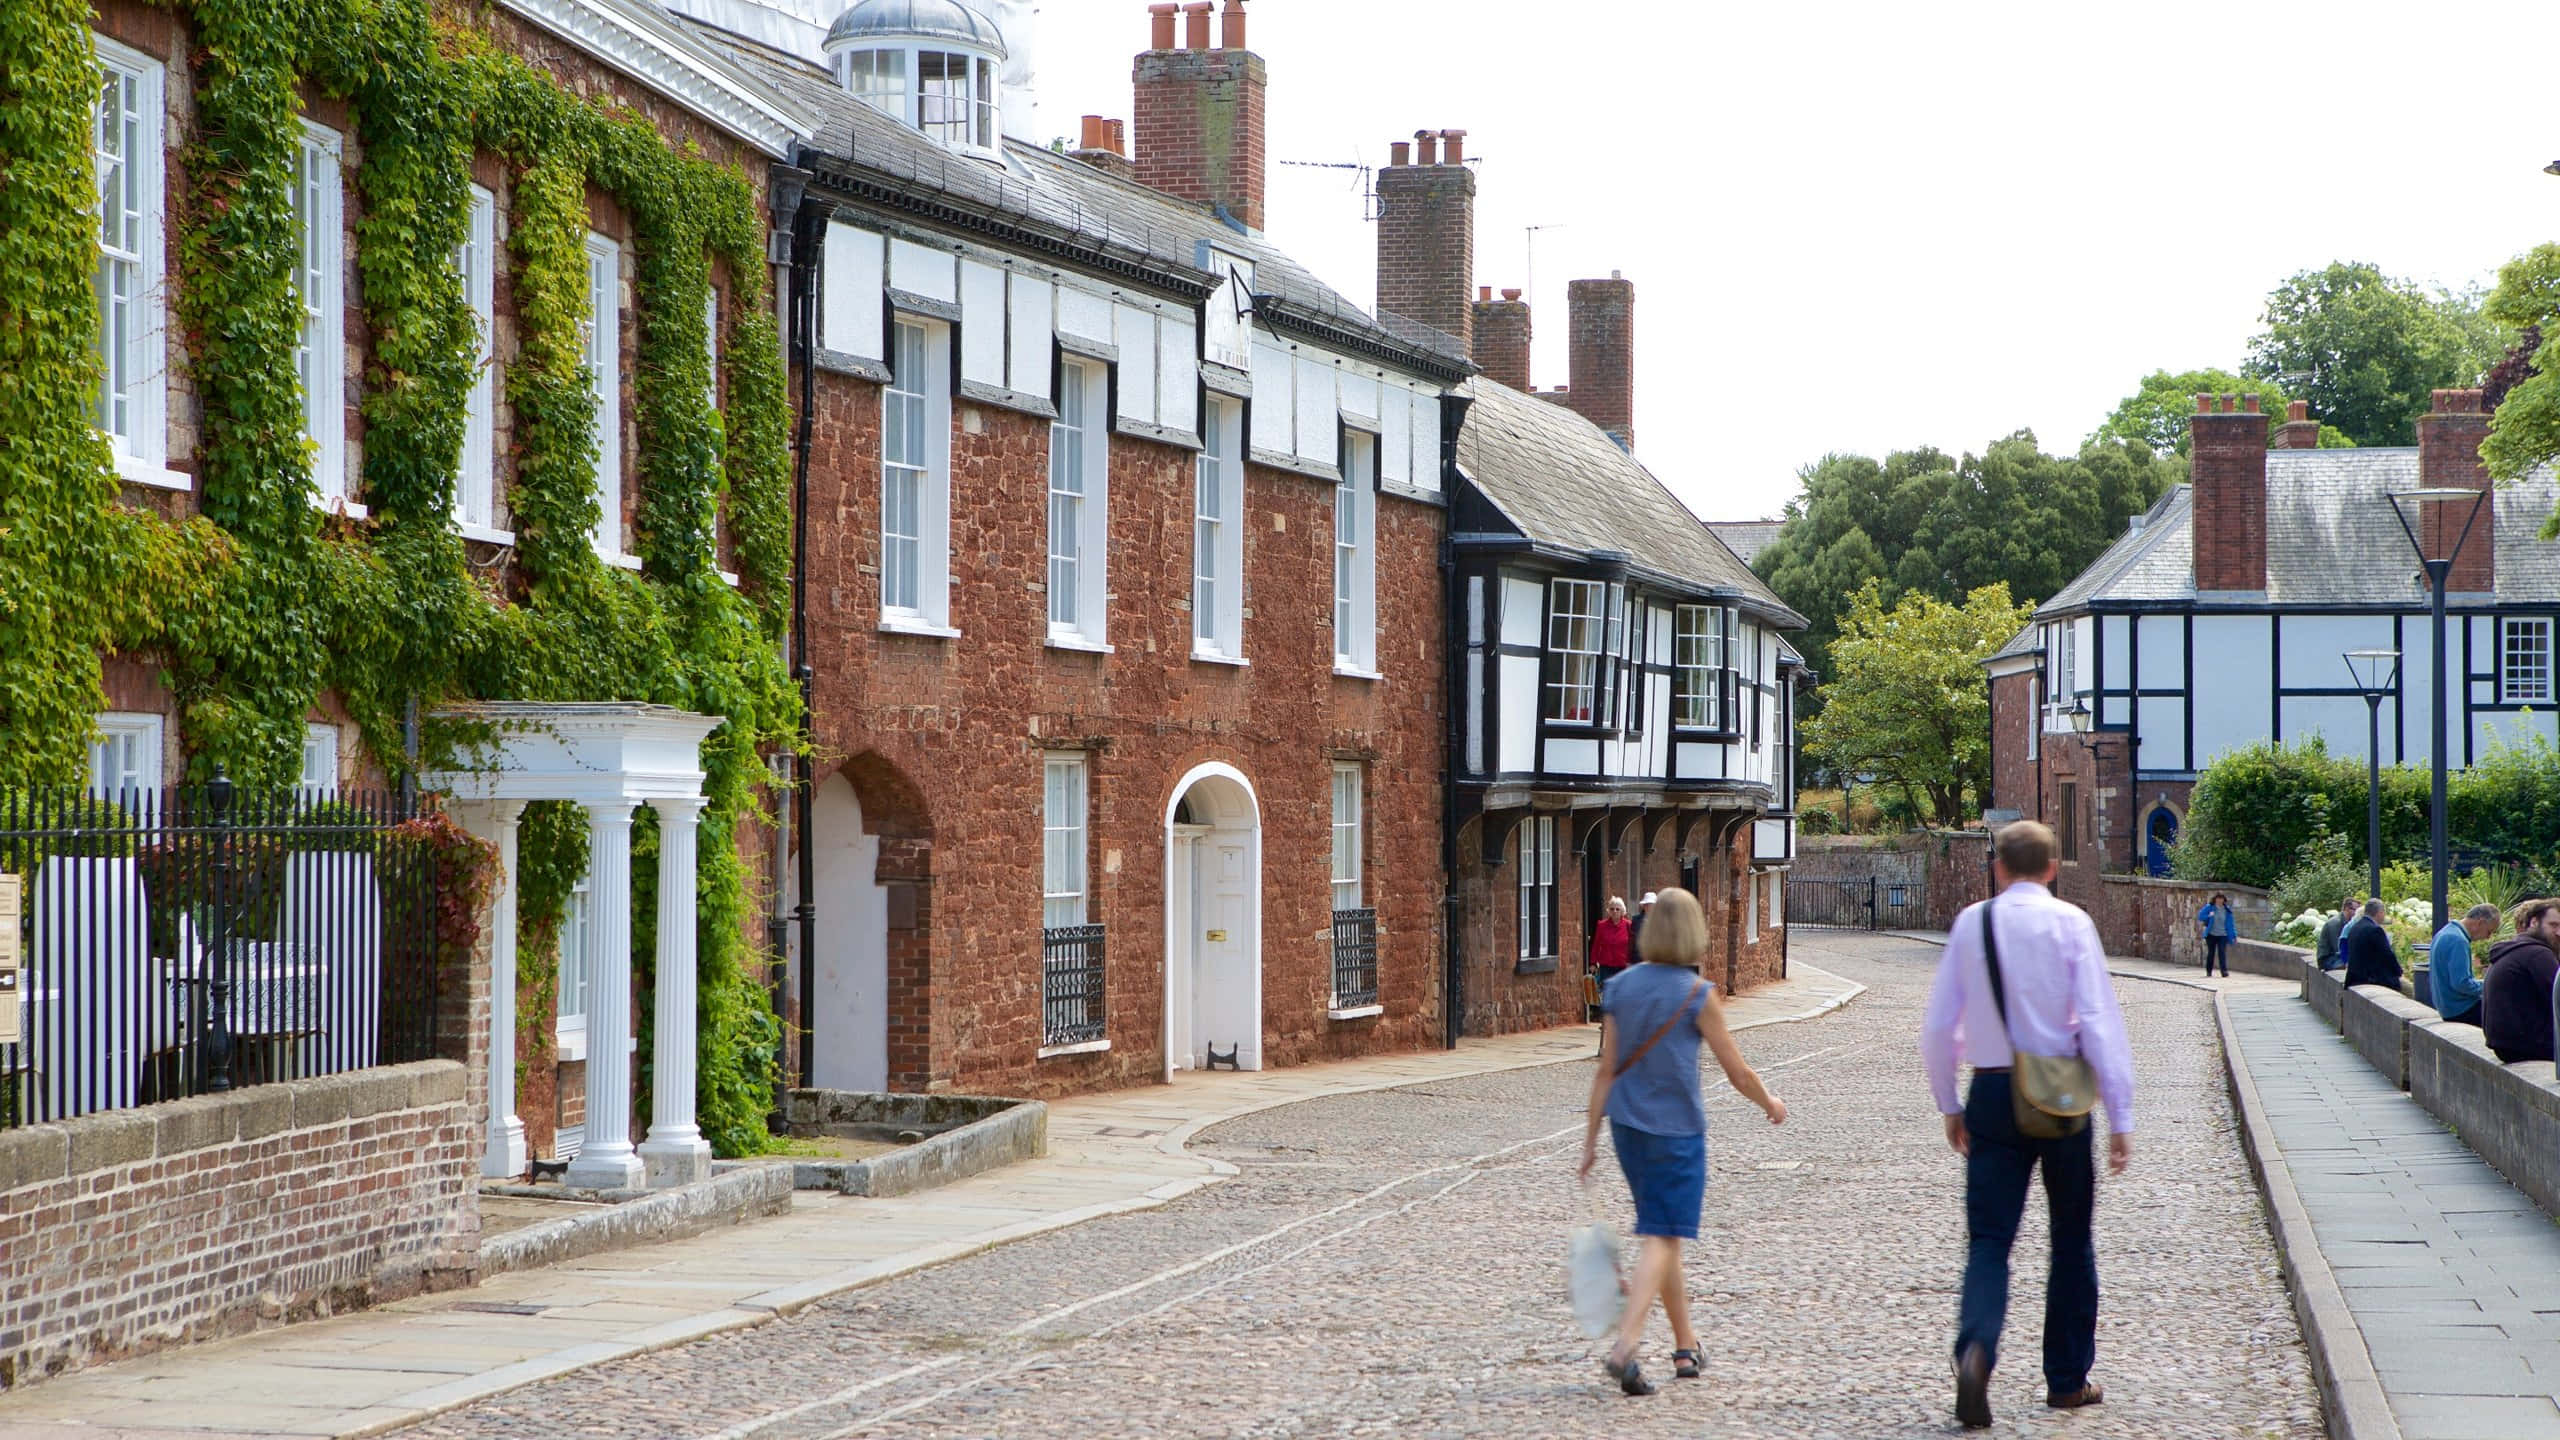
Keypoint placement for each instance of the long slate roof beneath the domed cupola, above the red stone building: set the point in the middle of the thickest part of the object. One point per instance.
(1069, 199)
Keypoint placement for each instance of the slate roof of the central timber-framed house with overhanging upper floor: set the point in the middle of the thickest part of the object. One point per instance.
(1560, 480)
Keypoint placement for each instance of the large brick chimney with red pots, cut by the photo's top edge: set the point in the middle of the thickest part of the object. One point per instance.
(1199, 114)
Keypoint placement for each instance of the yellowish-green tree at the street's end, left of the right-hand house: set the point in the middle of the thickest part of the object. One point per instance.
(1908, 698)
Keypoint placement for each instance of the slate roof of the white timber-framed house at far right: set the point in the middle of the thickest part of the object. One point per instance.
(2331, 539)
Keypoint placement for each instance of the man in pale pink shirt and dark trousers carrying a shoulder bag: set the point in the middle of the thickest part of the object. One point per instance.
(2060, 1003)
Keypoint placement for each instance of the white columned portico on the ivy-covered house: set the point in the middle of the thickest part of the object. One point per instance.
(611, 760)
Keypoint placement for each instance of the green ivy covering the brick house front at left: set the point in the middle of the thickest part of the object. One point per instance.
(265, 603)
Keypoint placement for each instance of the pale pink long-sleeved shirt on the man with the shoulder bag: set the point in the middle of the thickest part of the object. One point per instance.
(2062, 1001)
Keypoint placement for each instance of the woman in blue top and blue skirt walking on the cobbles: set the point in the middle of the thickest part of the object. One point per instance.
(1655, 1016)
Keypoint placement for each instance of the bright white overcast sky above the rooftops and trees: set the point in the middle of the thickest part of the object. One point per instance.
(1878, 227)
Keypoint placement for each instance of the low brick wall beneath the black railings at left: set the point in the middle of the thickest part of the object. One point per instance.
(170, 1223)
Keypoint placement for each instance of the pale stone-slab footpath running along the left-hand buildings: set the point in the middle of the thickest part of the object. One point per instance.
(1110, 1154)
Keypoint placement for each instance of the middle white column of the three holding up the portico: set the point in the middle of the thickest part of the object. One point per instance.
(608, 1159)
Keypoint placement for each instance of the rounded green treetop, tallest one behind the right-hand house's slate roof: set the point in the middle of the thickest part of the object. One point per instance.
(2367, 350)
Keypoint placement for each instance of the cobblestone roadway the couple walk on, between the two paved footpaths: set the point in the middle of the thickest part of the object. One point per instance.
(1391, 1264)
